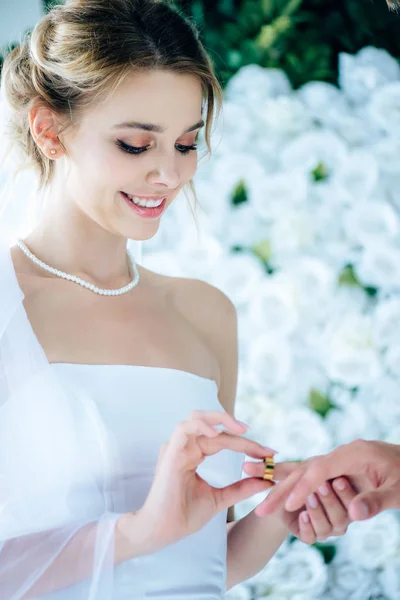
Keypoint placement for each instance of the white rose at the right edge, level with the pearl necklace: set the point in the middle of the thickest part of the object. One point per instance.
(379, 266)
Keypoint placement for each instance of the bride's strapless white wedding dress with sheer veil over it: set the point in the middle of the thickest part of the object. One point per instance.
(78, 447)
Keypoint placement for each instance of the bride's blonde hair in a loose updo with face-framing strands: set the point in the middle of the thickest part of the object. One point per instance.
(80, 52)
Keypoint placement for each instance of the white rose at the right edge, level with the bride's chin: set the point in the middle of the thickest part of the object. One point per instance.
(371, 222)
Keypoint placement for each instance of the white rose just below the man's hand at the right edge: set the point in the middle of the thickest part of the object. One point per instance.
(372, 543)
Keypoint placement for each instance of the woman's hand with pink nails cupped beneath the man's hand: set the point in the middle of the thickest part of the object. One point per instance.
(325, 512)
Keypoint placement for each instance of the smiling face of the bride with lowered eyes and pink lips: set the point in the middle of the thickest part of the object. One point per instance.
(151, 159)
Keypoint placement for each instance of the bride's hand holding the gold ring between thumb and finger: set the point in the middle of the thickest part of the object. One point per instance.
(180, 502)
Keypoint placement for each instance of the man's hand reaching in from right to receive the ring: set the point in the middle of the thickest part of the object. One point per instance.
(372, 467)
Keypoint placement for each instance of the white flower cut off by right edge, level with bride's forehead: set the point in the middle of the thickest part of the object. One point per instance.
(383, 108)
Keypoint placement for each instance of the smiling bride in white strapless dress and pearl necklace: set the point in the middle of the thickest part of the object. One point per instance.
(119, 451)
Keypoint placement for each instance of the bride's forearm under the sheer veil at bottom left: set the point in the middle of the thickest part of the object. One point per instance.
(72, 562)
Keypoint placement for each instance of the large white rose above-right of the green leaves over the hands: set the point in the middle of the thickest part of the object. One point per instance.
(351, 356)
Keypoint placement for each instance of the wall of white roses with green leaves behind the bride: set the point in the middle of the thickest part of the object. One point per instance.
(299, 225)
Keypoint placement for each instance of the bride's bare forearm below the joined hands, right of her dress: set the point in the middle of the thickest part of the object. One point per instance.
(252, 541)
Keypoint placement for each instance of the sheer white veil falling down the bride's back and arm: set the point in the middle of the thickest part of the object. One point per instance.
(58, 516)
